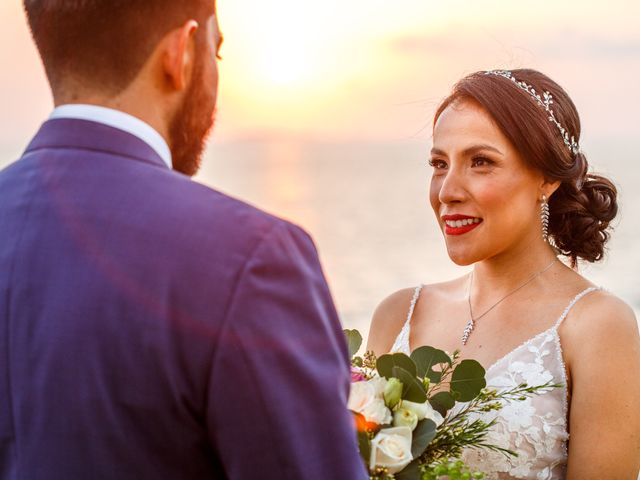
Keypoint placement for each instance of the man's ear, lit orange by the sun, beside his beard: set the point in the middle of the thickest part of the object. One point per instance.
(179, 54)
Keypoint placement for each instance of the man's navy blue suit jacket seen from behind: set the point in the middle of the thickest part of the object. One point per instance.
(152, 328)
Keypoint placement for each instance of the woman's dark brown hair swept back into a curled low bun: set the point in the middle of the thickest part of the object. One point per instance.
(584, 204)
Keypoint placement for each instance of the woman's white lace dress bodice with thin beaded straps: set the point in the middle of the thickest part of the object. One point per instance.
(535, 428)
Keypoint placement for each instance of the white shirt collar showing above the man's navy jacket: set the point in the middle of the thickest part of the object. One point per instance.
(119, 120)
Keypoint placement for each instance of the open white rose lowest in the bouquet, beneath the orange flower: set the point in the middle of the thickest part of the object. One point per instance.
(391, 448)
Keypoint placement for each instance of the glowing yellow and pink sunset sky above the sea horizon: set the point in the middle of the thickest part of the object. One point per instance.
(371, 69)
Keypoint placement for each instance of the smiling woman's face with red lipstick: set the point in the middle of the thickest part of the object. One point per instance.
(484, 196)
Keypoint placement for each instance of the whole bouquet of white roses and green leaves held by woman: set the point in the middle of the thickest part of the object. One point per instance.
(415, 414)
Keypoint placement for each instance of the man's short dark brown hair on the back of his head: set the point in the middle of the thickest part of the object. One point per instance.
(103, 44)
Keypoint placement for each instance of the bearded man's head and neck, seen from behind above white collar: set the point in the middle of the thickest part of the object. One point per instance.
(155, 57)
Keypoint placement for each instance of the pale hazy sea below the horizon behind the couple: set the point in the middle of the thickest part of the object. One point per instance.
(366, 205)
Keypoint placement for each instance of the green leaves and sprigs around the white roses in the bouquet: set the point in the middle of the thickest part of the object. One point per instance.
(432, 375)
